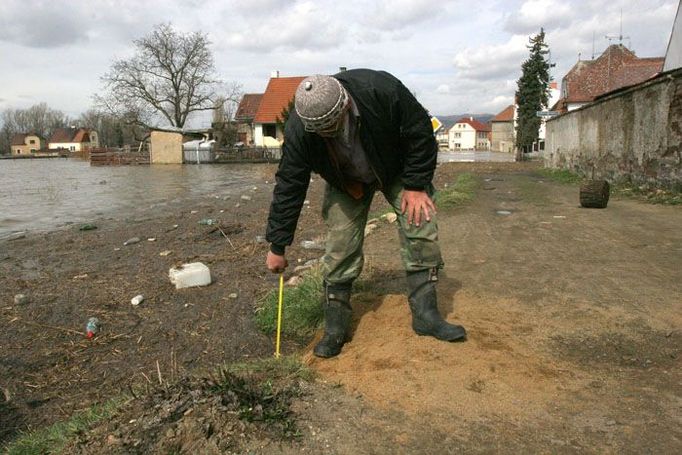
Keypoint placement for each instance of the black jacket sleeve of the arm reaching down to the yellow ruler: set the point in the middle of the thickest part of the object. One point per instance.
(292, 180)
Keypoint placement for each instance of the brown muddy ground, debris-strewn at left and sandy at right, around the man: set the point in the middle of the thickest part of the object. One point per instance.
(574, 319)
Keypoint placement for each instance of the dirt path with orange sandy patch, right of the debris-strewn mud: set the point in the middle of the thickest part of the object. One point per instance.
(574, 320)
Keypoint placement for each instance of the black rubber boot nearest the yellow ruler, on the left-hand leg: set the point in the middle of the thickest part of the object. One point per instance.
(337, 319)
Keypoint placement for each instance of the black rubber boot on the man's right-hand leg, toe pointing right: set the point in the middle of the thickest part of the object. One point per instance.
(426, 320)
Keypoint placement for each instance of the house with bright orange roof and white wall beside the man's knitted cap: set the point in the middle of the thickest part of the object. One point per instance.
(279, 92)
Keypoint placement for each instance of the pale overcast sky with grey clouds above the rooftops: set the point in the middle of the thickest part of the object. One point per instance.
(458, 56)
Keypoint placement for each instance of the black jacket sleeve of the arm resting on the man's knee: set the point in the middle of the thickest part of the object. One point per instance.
(417, 141)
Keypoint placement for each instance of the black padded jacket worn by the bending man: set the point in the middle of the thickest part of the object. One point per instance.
(395, 132)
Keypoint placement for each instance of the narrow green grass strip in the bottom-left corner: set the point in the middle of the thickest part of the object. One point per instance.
(53, 438)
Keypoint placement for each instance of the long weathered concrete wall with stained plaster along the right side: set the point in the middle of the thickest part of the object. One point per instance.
(632, 135)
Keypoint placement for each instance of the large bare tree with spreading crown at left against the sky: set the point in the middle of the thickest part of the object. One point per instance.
(170, 76)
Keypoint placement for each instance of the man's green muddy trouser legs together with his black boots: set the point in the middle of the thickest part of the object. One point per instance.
(343, 260)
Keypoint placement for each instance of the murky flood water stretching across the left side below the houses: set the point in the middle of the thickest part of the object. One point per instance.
(43, 194)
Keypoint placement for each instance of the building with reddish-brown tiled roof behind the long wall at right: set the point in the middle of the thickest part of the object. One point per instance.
(615, 68)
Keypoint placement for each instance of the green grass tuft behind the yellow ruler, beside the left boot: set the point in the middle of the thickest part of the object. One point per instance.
(301, 311)
